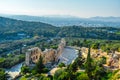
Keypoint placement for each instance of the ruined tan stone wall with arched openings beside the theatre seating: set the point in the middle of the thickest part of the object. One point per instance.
(49, 55)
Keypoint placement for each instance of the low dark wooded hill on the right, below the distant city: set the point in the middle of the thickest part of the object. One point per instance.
(90, 32)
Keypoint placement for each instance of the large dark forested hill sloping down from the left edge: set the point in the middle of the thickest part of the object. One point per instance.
(9, 28)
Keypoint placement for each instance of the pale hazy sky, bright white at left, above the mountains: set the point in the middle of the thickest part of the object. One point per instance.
(81, 8)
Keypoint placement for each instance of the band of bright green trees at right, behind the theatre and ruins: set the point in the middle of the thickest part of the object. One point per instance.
(105, 45)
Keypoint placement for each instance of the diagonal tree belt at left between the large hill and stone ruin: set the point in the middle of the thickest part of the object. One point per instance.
(11, 46)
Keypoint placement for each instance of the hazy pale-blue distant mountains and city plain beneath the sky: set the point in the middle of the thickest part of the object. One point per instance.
(61, 21)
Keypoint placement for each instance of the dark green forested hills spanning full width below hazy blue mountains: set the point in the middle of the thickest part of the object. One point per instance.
(12, 29)
